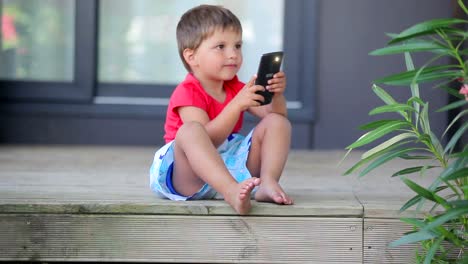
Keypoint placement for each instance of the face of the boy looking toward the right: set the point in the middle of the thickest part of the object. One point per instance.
(219, 57)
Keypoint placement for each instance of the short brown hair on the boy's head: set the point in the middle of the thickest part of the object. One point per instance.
(199, 23)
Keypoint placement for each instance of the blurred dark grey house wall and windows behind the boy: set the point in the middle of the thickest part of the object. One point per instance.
(101, 72)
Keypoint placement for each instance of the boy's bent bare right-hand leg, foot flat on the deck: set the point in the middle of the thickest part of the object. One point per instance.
(267, 157)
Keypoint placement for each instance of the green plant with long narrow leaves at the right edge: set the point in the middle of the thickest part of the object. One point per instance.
(442, 233)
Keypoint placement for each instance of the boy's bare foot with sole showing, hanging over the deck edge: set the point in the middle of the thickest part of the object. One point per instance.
(239, 198)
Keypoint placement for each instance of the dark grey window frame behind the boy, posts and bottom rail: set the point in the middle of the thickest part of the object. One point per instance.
(86, 96)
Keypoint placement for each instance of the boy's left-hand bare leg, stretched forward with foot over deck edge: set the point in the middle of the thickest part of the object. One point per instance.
(196, 162)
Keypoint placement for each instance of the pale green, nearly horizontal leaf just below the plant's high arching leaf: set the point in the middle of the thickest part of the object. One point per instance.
(419, 46)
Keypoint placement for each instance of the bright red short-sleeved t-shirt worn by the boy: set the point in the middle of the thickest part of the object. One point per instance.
(191, 93)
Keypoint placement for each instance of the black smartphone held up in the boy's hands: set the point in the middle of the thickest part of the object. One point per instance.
(270, 63)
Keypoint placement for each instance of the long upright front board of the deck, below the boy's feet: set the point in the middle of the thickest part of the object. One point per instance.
(206, 239)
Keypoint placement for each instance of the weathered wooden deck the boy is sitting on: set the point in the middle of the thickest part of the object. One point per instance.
(80, 203)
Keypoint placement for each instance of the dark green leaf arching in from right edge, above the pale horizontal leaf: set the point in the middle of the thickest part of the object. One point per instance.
(425, 28)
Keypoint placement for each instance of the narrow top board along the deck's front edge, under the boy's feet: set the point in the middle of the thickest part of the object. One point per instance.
(302, 207)
